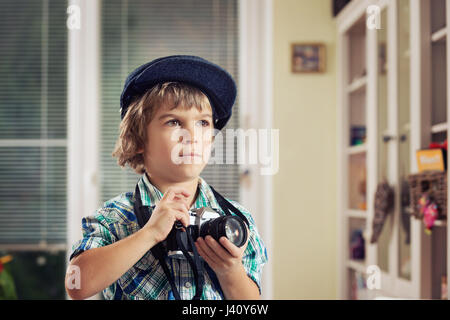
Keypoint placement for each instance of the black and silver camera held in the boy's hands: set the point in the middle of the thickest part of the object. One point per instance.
(202, 222)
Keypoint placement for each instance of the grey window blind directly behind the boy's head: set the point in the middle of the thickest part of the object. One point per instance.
(138, 31)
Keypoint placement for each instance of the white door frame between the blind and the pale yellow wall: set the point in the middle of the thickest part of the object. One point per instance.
(256, 100)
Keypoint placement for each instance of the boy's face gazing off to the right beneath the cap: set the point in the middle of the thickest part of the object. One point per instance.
(172, 135)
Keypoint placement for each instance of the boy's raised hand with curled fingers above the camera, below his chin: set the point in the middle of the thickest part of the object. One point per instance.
(172, 207)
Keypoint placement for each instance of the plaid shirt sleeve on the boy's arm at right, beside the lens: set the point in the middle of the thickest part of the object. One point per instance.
(255, 255)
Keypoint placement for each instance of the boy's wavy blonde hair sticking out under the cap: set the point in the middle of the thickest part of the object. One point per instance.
(133, 128)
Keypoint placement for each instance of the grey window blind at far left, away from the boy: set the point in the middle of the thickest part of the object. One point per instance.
(33, 54)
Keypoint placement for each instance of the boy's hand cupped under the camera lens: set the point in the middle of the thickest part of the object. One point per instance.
(223, 256)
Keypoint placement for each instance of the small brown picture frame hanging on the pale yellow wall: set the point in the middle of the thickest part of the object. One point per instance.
(308, 57)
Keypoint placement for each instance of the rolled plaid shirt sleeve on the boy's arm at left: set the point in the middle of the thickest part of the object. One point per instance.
(96, 233)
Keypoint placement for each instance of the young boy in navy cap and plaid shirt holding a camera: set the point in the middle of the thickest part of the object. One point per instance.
(170, 108)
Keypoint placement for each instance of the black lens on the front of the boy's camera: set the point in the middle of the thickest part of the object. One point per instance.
(231, 227)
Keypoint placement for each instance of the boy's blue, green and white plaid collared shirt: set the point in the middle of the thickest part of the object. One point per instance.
(146, 279)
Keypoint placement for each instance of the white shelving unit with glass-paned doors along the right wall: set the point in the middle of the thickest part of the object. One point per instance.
(393, 99)
